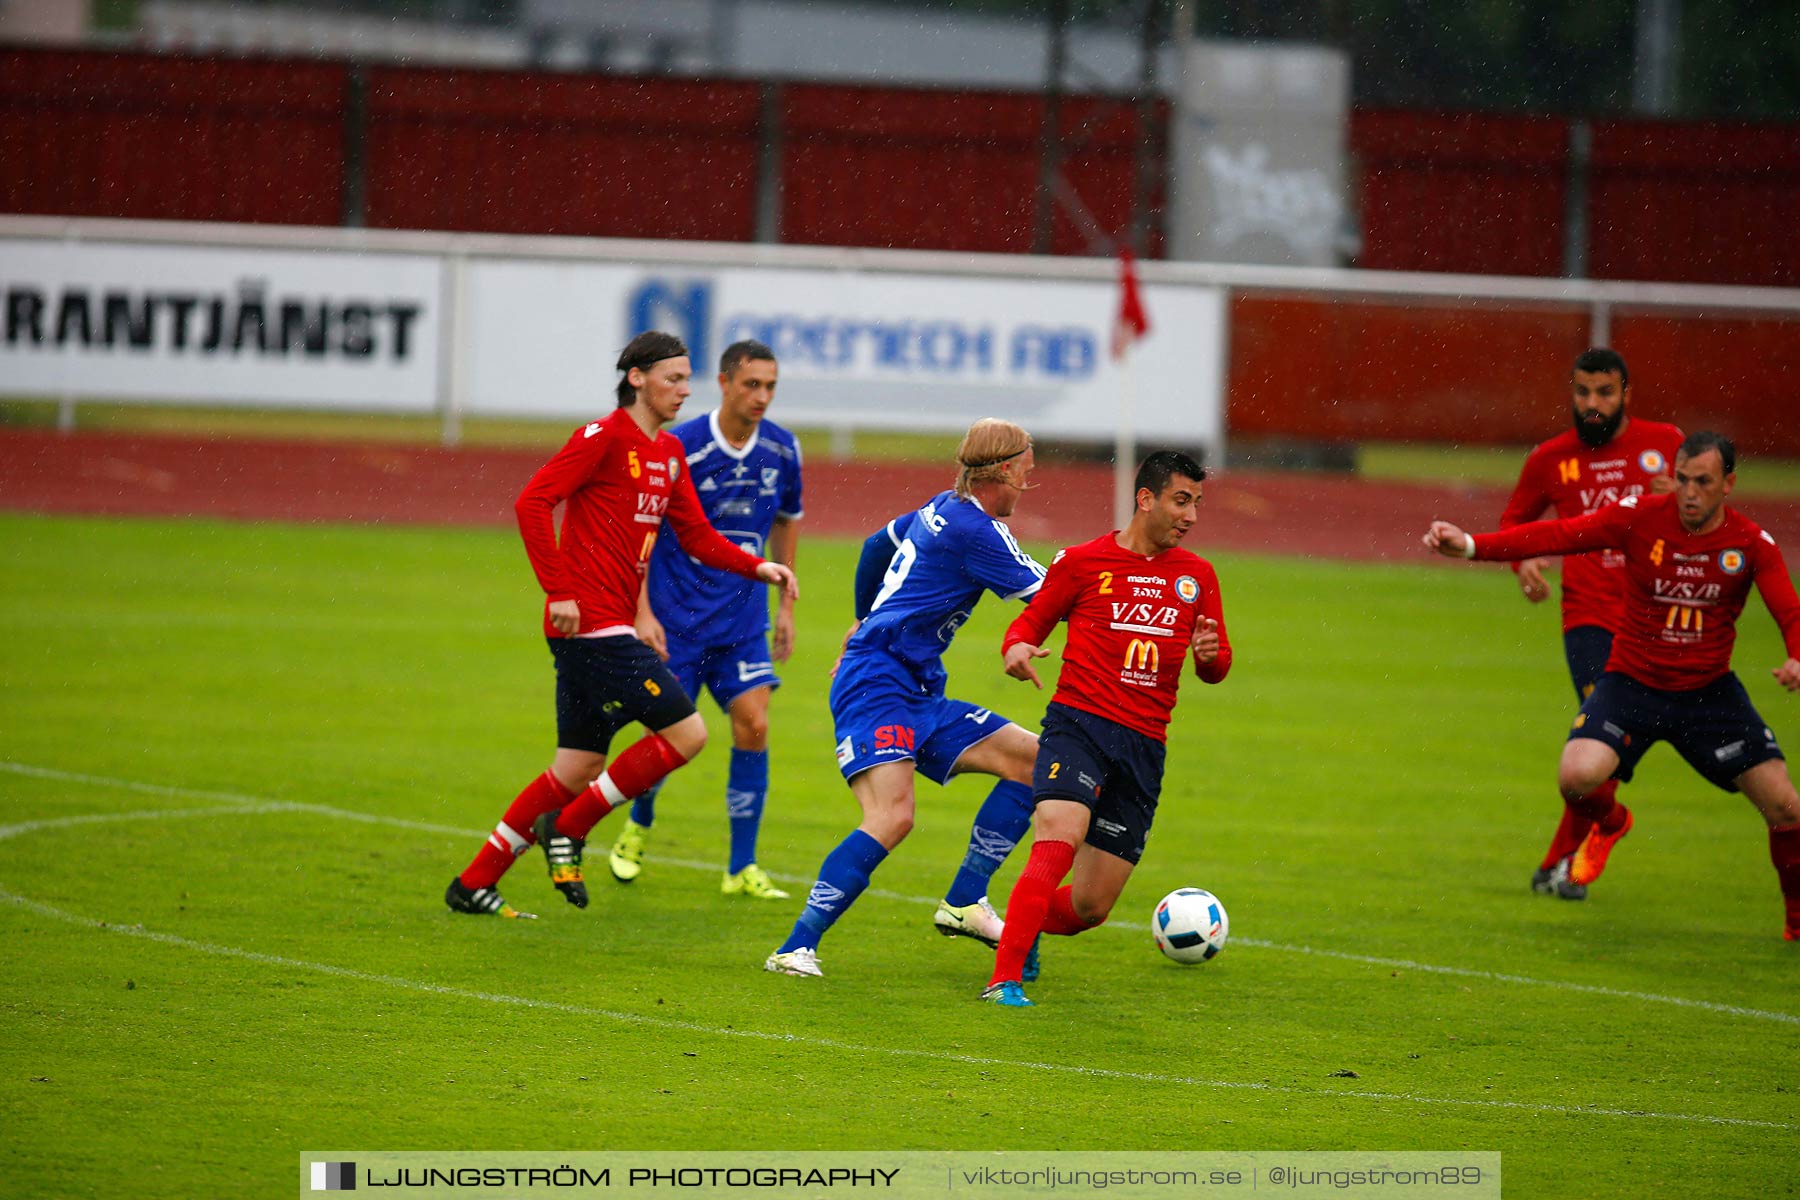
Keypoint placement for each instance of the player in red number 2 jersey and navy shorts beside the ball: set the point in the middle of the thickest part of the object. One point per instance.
(1137, 605)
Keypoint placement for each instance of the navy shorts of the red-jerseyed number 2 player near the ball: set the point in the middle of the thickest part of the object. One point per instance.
(1115, 771)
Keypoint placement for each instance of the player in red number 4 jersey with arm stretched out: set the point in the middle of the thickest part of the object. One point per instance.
(1689, 564)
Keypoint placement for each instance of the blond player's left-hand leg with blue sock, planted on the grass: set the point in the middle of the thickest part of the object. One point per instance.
(886, 800)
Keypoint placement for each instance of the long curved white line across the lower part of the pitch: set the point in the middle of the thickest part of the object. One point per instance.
(834, 1044)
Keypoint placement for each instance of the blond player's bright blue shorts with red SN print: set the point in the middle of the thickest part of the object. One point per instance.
(881, 715)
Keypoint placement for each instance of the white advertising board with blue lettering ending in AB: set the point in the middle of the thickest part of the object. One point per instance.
(858, 350)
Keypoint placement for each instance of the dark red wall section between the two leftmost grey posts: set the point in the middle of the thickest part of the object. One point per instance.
(579, 156)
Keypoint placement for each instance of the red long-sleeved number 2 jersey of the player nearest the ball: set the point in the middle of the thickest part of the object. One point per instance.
(1131, 623)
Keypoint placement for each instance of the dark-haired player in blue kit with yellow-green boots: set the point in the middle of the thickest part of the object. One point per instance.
(712, 627)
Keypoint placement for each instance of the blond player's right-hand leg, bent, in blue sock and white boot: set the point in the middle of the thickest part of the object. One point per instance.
(1003, 818)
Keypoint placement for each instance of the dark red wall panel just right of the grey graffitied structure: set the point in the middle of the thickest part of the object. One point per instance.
(1461, 192)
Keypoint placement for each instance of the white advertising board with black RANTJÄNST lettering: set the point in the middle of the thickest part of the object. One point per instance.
(213, 325)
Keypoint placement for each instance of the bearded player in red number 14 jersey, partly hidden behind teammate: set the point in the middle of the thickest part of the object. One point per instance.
(1606, 458)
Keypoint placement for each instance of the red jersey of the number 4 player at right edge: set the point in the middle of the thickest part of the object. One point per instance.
(1684, 591)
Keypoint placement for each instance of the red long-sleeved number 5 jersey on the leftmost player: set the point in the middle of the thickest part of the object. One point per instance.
(620, 485)
